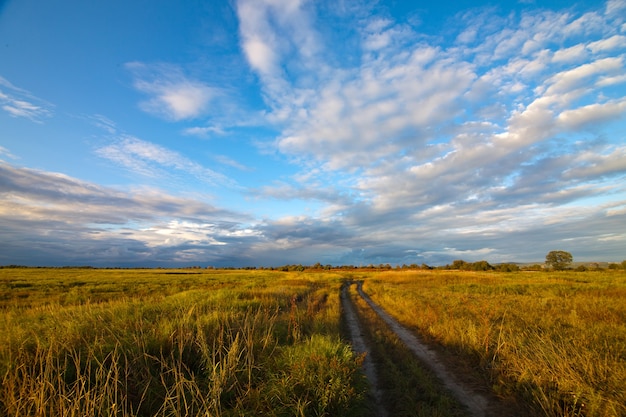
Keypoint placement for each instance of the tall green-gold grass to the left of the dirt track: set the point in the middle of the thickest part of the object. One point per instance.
(78, 342)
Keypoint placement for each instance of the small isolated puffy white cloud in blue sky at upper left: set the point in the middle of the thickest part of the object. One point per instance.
(172, 94)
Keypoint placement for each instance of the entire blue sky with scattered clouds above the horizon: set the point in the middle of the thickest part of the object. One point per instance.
(346, 132)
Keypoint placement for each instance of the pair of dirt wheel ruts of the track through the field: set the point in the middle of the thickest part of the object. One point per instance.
(476, 404)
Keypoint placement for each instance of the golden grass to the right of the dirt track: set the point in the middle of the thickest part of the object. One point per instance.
(555, 341)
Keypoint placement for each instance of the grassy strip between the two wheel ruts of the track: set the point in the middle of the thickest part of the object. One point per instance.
(409, 388)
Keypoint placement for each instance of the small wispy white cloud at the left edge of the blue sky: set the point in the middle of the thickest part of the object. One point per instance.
(18, 102)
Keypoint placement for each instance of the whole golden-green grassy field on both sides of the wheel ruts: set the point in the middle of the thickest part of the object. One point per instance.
(78, 342)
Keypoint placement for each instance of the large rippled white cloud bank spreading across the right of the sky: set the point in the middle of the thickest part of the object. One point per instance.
(430, 137)
